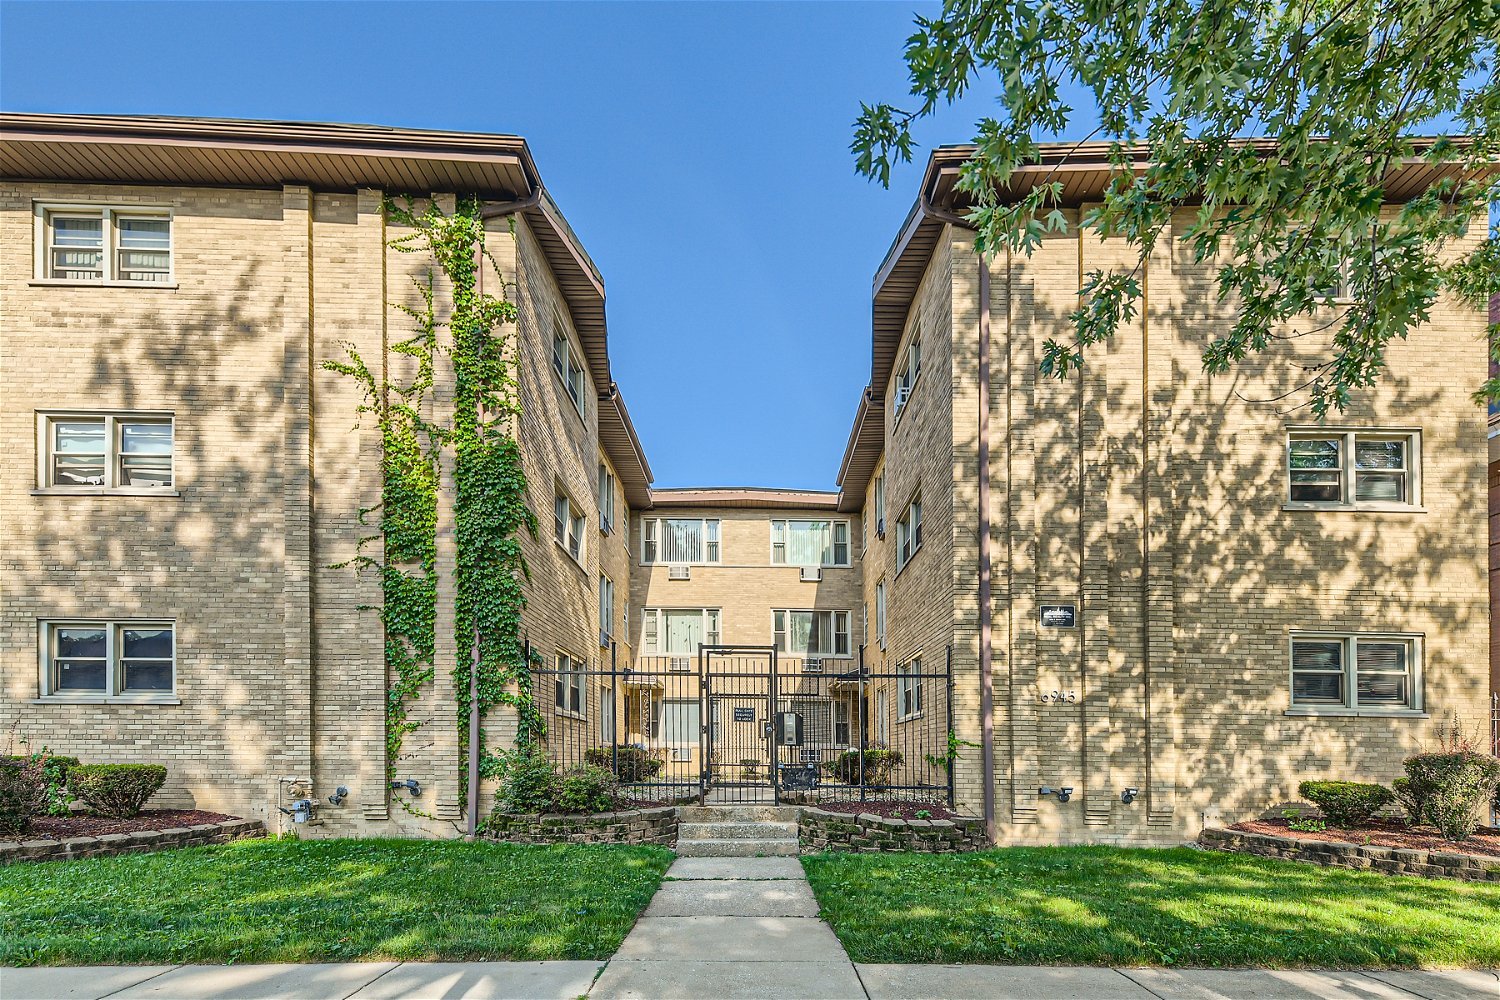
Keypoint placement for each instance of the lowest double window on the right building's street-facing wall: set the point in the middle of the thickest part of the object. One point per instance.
(1355, 672)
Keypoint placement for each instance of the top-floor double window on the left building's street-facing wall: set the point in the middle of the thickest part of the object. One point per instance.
(94, 244)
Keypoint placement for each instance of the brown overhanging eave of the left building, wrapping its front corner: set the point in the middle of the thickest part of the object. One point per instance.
(322, 155)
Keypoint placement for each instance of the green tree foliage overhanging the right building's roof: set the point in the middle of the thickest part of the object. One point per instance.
(1340, 88)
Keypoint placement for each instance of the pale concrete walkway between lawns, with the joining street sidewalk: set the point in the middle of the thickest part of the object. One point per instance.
(728, 929)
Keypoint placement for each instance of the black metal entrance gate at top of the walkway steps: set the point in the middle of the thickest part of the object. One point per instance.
(739, 686)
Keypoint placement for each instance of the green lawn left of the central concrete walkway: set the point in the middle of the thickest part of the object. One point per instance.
(335, 900)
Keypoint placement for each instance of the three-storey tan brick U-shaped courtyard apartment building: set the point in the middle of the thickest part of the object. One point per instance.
(1144, 579)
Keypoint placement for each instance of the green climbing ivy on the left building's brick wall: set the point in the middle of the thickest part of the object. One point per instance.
(490, 507)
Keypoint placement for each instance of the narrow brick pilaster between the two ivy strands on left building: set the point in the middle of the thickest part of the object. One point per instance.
(443, 729)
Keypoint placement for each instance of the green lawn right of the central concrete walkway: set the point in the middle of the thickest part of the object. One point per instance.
(1100, 906)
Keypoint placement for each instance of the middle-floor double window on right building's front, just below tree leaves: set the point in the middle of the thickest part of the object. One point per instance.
(1346, 469)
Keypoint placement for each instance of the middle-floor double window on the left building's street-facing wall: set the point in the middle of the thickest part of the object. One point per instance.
(106, 452)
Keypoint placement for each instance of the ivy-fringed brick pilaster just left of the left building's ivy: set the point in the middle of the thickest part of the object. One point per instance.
(373, 683)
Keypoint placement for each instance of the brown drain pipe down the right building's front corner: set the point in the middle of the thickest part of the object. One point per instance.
(986, 612)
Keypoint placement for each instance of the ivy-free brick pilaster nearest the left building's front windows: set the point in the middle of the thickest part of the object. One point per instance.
(296, 475)
